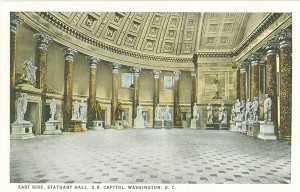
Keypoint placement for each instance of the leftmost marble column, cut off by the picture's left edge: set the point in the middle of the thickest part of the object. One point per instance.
(14, 22)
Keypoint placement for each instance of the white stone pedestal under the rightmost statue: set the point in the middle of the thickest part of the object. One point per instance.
(267, 131)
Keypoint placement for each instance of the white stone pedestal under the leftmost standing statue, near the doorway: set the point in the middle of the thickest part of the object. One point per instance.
(21, 130)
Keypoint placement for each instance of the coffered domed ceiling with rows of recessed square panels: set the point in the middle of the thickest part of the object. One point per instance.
(156, 36)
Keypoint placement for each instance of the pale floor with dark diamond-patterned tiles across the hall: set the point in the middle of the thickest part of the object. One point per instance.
(150, 156)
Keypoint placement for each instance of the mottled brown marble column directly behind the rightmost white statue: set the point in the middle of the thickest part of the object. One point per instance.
(271, 78)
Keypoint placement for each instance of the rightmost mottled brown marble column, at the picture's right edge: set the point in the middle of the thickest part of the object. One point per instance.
(285, 61)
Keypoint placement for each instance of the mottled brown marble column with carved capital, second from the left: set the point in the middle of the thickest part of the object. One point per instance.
(42, 42)
